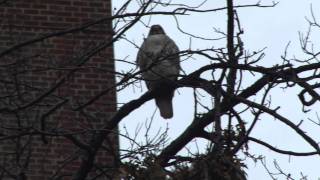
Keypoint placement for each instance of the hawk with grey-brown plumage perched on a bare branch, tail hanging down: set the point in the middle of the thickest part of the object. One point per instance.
(158, 58)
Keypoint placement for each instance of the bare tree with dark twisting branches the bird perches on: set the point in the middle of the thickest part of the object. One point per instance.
(156, 157)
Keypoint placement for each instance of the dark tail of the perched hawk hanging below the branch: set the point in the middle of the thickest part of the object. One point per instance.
(165, 106)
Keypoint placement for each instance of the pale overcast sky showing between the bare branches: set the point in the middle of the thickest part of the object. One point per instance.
(272, 28)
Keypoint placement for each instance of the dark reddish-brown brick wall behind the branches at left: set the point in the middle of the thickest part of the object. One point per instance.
(43, 83)
